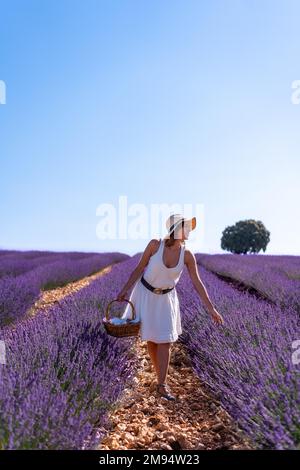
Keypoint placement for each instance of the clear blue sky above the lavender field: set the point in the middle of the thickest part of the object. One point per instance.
(167, 102)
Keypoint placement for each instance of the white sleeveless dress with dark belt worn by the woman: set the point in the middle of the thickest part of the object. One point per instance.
(159, 313)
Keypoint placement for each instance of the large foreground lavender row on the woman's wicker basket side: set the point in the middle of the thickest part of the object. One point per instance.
(63, 372)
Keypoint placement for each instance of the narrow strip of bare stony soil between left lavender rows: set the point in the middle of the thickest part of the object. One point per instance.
(50, 297)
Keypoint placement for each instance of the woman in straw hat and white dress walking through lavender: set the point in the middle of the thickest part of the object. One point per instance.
(155, 297)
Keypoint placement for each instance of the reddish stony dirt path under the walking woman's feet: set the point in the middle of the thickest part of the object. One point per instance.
(145, 420)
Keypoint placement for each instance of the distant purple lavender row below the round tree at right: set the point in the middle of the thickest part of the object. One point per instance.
(276, 277)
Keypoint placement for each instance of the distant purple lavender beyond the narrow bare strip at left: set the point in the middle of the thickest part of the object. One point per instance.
(19, 292)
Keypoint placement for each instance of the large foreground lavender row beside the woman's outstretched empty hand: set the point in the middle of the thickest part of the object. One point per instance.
(247, 362)
